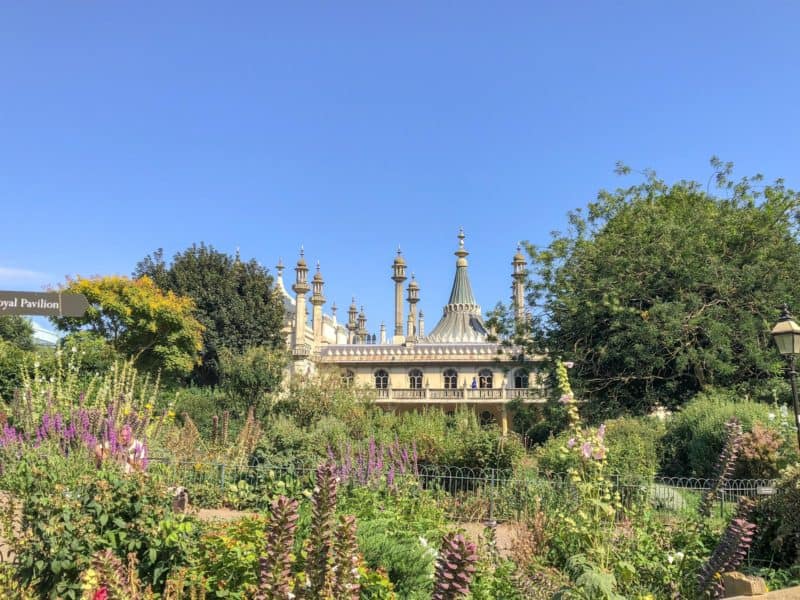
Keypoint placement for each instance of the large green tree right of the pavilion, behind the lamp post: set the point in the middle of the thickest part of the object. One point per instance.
(658, 291)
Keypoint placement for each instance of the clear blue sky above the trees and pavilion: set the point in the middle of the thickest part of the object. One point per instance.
(351, 128)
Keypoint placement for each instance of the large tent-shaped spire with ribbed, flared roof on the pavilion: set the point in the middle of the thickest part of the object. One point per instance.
(461, 321)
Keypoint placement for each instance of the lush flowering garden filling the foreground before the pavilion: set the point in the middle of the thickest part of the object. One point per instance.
(114, 487)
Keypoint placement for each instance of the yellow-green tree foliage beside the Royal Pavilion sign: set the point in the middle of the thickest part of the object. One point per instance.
(156, 328)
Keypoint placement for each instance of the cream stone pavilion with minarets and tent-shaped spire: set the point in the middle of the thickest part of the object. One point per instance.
(456, 364)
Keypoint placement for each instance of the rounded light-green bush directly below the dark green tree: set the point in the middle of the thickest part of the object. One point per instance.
(248, 377)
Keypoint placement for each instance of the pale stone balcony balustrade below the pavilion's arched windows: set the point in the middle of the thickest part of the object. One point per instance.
(458, 395)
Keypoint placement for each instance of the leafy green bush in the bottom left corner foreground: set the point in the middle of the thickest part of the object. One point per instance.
(64, 525)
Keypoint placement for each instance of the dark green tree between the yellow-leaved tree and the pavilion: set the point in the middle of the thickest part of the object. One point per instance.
(235, 301)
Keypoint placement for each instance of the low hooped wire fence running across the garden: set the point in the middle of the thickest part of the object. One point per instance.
(467, 494)
